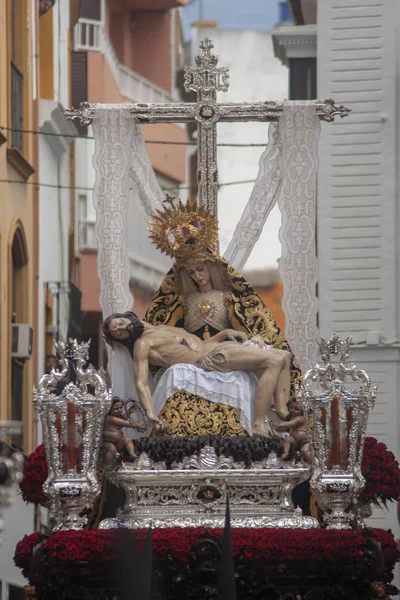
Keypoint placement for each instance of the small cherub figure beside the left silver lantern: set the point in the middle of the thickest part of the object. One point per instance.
(114, 439)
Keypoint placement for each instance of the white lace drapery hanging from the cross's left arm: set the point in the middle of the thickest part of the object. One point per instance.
(123, 170)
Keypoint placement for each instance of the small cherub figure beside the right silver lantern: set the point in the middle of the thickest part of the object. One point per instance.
(295, 423)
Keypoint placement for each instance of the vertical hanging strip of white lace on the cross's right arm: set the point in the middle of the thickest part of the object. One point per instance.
(299, 130)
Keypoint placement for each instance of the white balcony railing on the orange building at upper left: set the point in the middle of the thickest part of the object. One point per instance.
(90, 35)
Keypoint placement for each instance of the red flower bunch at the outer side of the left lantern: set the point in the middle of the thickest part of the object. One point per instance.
(33, 477)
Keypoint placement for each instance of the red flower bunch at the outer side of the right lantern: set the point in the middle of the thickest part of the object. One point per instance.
(382, 473)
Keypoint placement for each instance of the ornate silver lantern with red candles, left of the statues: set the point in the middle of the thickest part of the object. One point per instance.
(72, 426)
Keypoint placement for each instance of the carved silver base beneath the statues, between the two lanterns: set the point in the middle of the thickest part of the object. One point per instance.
(194, 493)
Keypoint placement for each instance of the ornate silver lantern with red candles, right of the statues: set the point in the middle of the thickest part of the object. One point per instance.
(336, 400)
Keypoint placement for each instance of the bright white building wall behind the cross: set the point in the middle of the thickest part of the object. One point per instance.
(255, 75)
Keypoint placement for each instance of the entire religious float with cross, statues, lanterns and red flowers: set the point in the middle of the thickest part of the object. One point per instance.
(209, 483)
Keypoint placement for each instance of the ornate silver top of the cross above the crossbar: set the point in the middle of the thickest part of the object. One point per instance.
(206, 78)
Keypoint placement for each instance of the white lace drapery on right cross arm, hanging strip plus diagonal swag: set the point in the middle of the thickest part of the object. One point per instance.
(287, 175)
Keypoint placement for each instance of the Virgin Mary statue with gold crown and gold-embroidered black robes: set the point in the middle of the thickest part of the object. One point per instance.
(204, 294)
